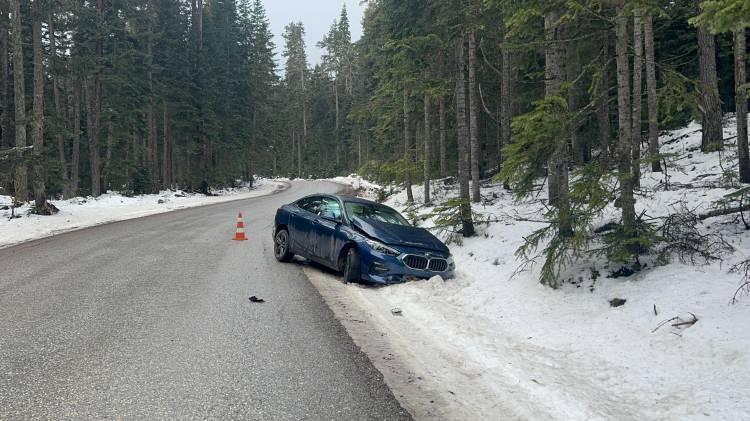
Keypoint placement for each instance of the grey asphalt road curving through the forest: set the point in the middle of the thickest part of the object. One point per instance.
(150, 319)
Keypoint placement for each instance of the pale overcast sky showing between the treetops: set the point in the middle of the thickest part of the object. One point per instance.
(316, 15)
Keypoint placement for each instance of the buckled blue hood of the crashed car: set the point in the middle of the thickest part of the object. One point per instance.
(400, 235)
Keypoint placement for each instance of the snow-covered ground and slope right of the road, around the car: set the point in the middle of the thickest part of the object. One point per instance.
(491, 345)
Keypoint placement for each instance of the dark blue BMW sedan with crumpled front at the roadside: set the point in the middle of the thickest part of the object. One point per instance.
(363, 239)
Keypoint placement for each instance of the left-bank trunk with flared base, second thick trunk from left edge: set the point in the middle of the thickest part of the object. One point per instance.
(37, 125)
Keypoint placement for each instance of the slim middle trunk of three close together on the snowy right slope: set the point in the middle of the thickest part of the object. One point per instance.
(637, 95)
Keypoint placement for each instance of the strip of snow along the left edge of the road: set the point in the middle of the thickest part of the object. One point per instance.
(83, 212)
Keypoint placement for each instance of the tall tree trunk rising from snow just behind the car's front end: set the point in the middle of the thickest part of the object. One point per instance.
(463, 142)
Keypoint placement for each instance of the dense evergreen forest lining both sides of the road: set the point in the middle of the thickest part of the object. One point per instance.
(566, 98)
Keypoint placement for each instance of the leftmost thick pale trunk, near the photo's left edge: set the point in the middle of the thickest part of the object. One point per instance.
(21, 176)
